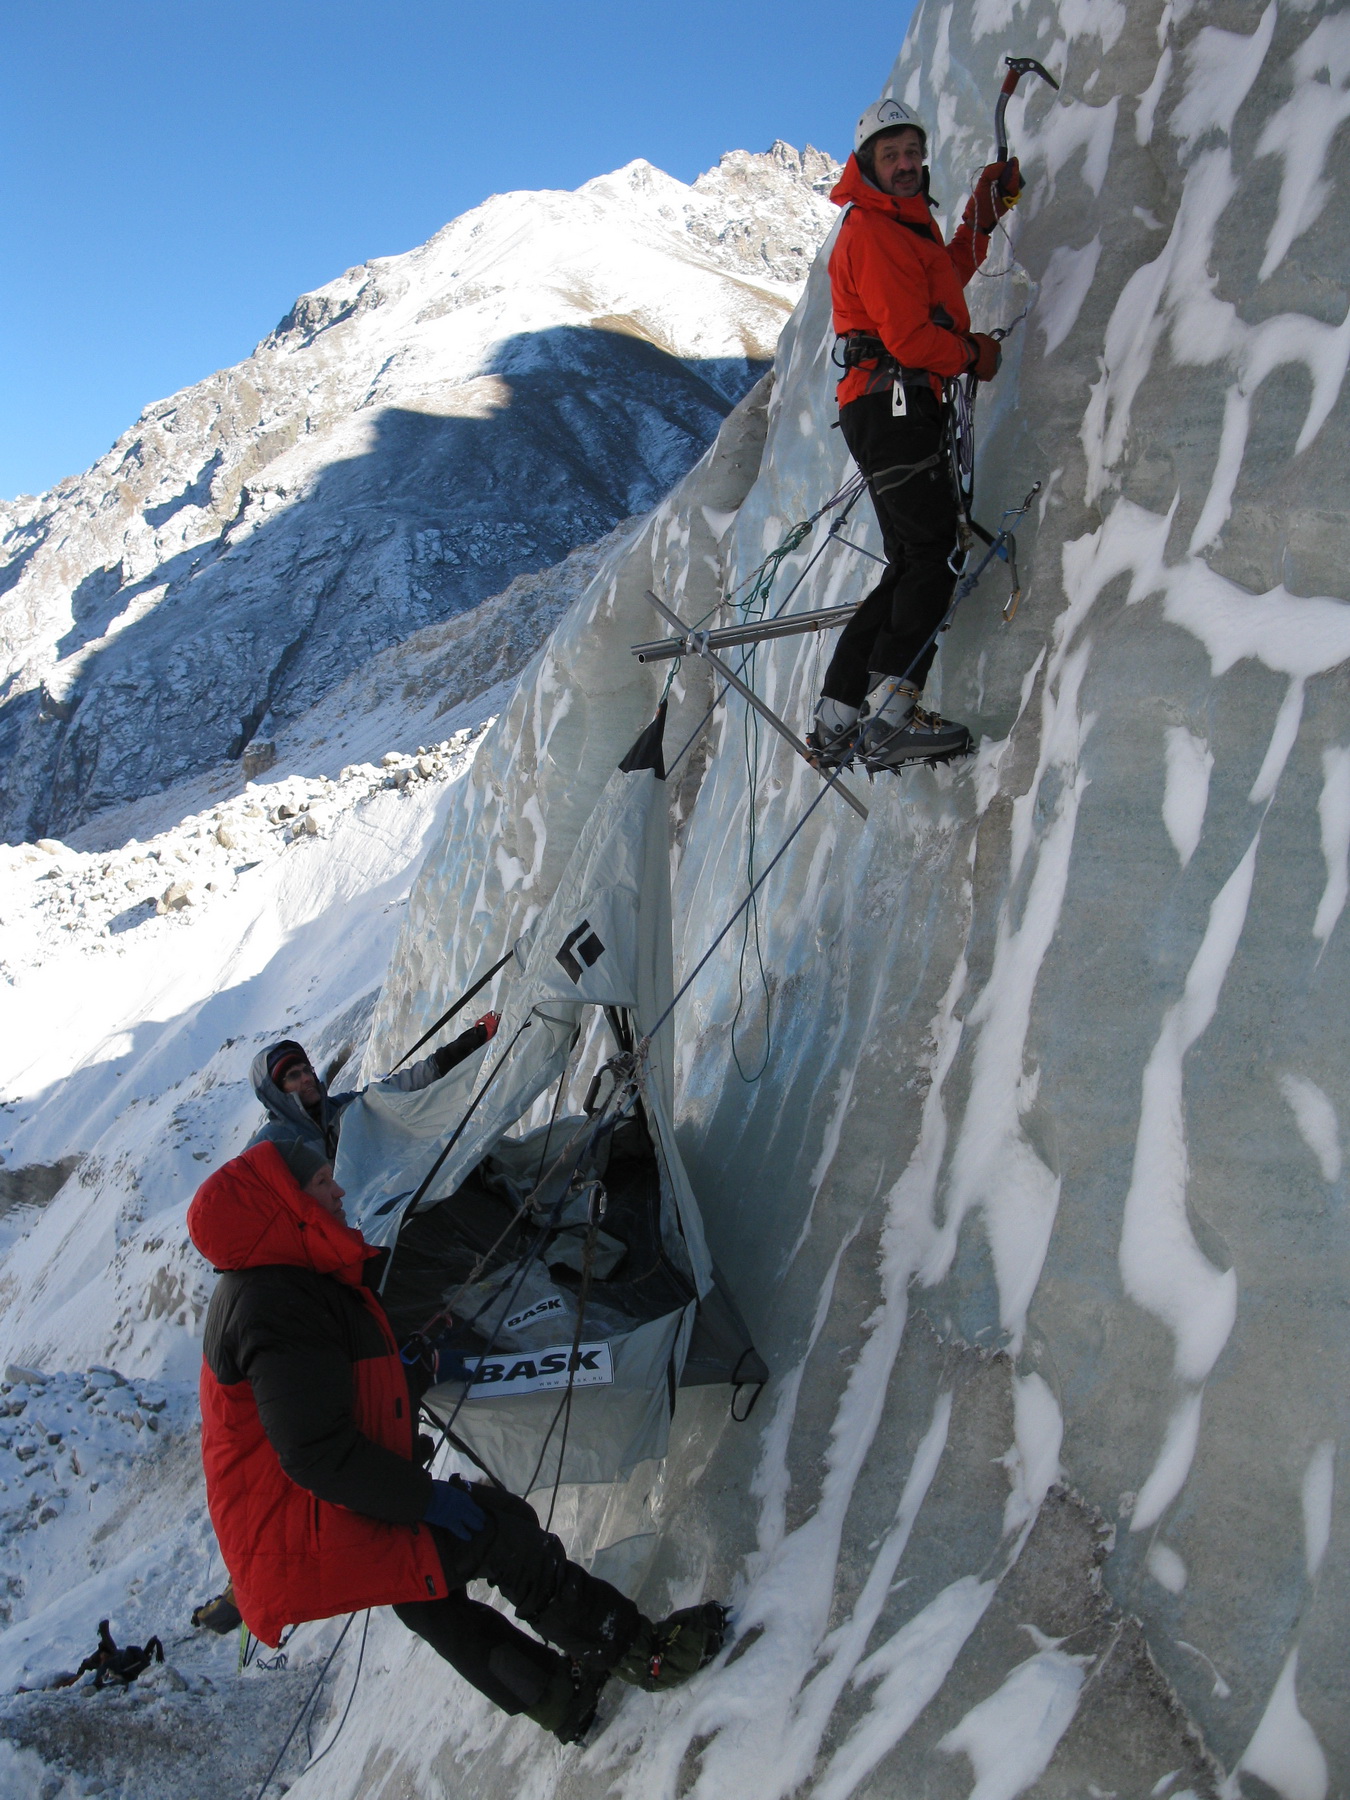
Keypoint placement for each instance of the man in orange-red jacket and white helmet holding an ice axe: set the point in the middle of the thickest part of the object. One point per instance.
(899, 309)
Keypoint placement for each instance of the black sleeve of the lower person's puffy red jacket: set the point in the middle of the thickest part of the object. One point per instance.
(300, 1363)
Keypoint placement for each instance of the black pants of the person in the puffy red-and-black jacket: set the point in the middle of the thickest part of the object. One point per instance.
(589, 1621)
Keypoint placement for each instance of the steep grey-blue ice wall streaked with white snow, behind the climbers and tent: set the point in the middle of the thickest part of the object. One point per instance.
(1038, 1209)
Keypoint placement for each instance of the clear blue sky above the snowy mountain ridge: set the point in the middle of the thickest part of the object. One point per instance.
(175, 172)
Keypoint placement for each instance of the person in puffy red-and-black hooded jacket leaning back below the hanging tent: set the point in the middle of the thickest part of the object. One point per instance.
(316, 1493)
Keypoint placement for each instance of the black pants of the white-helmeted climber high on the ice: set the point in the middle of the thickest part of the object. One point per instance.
(919, 517)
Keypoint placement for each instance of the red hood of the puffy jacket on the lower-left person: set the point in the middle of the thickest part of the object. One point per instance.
(253, 1212)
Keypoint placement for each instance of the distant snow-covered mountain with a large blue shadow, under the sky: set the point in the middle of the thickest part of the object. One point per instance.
(404, 444)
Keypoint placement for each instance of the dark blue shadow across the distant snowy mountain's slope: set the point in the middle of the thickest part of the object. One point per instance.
(562, 436)
